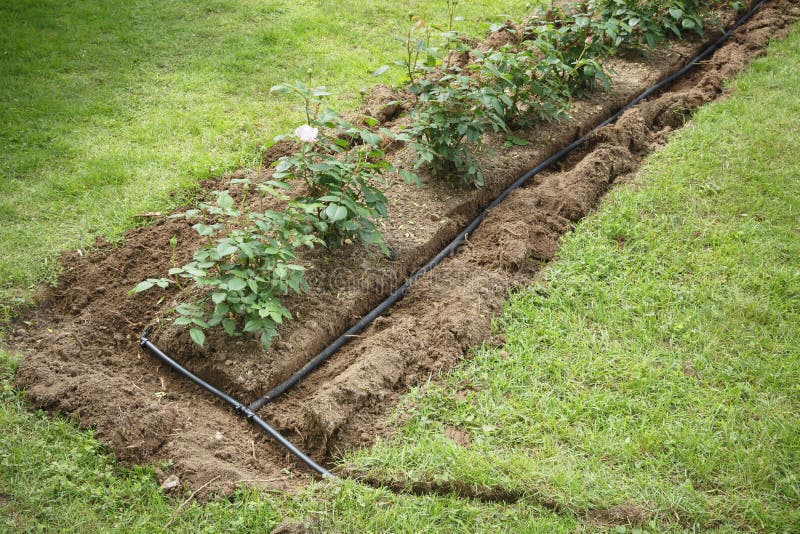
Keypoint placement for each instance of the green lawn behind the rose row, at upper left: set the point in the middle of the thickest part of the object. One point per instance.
(111, 107)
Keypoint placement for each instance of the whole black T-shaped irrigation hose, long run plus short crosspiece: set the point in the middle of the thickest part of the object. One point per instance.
(249, 412)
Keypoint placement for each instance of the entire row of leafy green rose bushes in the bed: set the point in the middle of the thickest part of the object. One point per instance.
(246, 264)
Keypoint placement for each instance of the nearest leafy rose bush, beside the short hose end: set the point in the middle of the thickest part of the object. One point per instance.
(242, 273)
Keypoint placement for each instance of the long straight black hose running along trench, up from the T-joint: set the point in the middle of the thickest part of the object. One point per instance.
(461, 238)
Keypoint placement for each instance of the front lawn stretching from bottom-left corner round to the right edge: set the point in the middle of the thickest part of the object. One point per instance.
(657, 363)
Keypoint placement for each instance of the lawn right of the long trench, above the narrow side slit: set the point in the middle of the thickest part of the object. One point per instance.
(658, 362)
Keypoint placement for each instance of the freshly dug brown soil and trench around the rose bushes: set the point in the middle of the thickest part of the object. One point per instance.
(80, 346)
